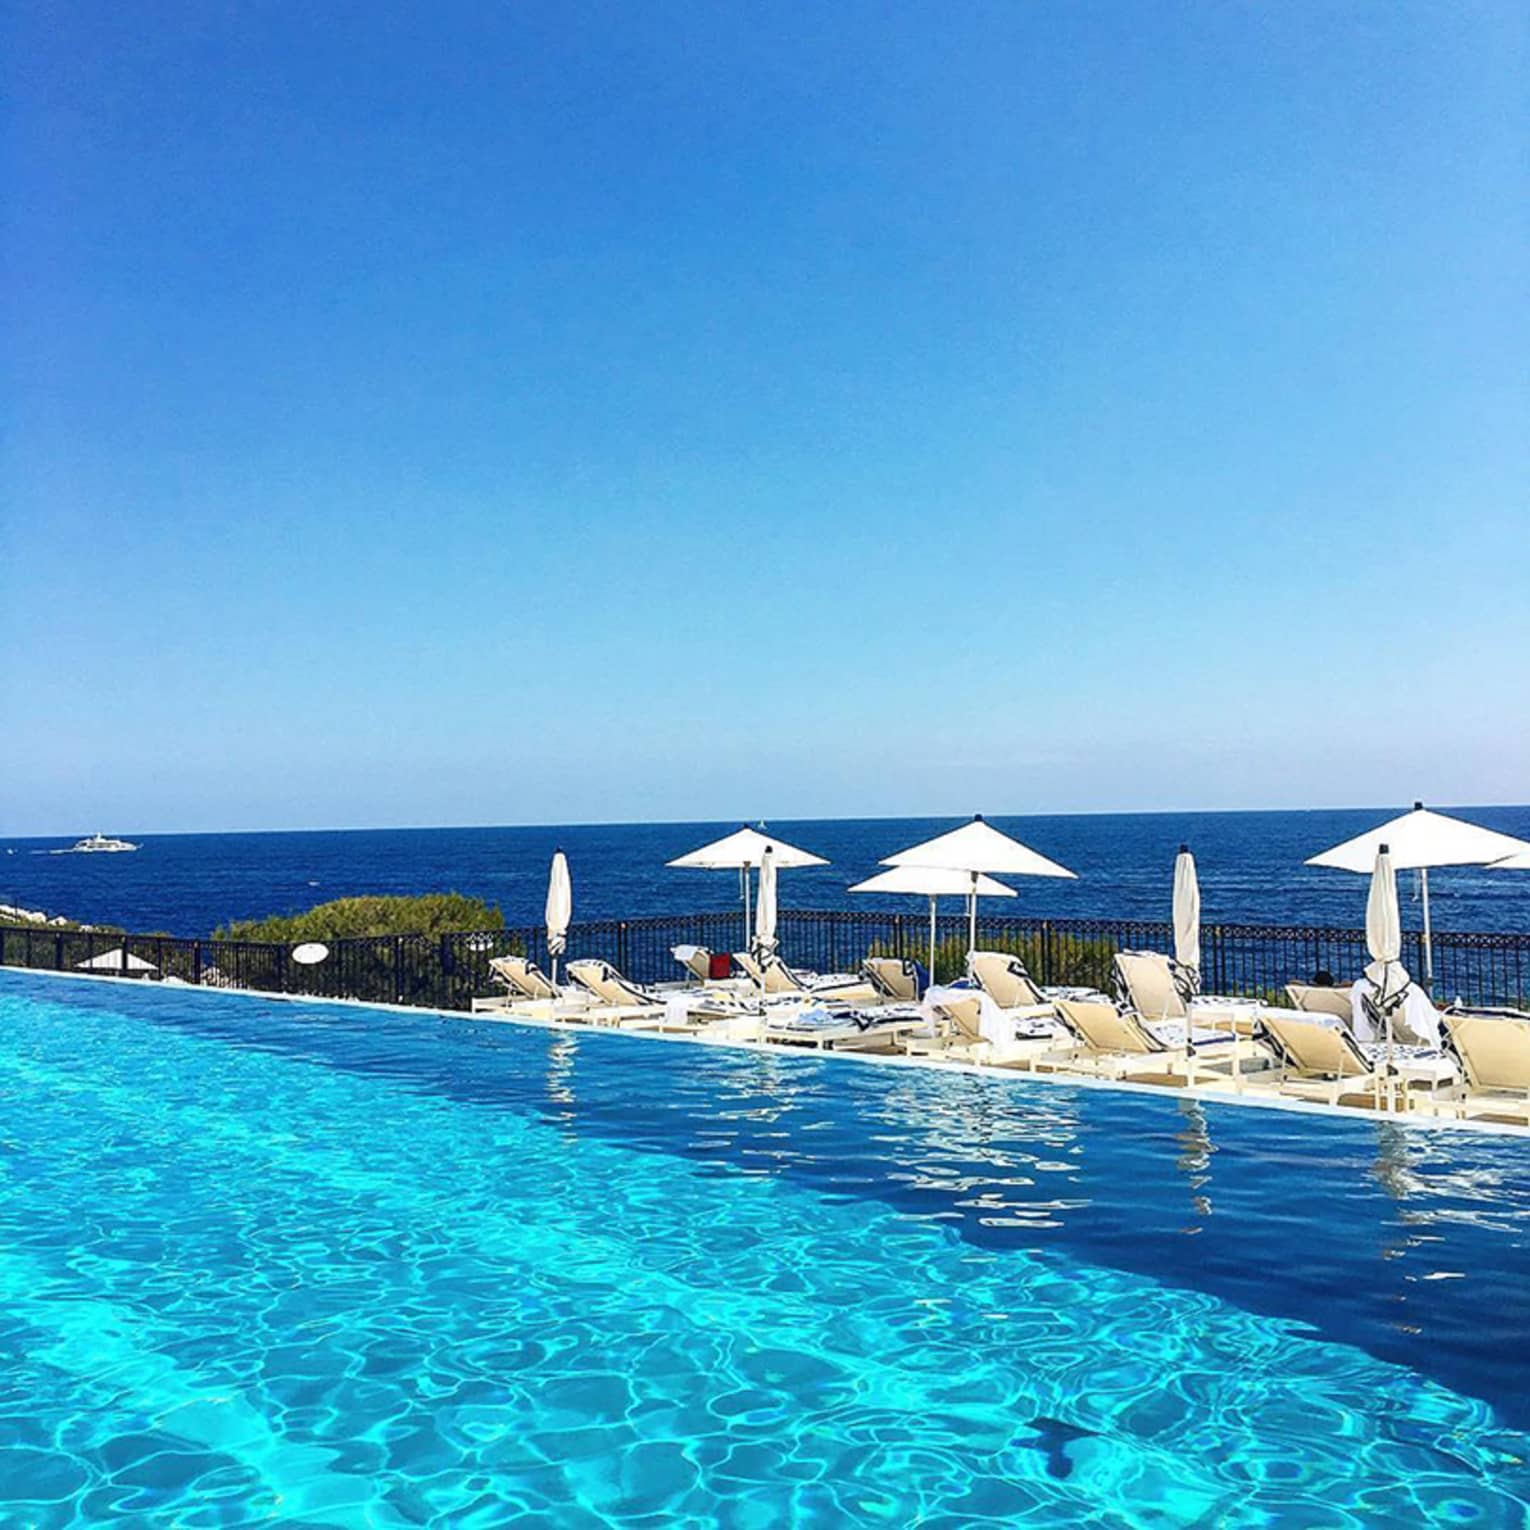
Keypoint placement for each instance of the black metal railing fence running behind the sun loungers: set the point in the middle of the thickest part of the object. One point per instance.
(449, 971)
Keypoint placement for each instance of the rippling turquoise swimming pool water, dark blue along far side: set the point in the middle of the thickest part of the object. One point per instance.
(265, 1263)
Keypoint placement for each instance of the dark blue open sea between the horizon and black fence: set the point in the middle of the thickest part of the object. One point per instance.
(1251, 868)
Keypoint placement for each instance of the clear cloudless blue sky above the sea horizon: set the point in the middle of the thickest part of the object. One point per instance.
(541, 412)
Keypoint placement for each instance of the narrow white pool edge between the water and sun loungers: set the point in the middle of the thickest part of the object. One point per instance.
(1006, 1076)
